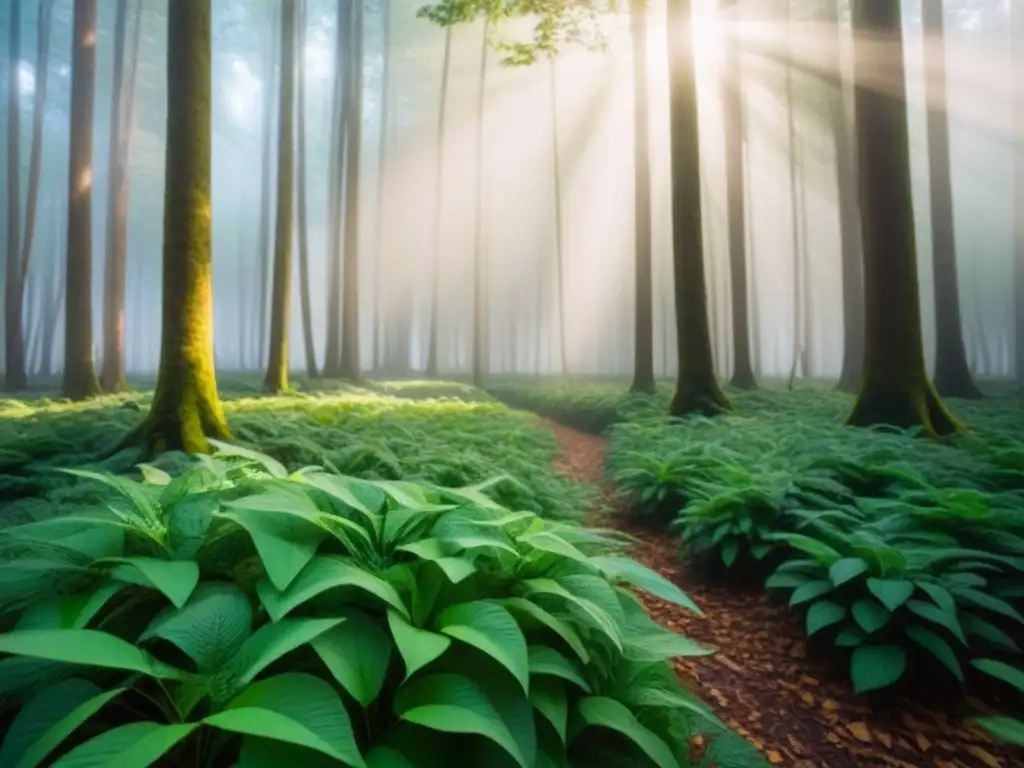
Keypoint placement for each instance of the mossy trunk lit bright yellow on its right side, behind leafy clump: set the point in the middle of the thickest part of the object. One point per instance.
(186, 408)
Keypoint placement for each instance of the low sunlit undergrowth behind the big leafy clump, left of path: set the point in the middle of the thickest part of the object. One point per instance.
(450, 435)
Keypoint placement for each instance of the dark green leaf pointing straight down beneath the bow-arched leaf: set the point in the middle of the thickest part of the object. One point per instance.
(357, 653)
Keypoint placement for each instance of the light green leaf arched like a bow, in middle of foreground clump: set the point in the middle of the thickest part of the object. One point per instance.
(321, 575)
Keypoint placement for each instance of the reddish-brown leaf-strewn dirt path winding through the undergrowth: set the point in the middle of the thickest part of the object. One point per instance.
(794, 708)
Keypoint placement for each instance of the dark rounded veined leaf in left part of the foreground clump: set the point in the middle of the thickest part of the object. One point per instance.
(210, 628)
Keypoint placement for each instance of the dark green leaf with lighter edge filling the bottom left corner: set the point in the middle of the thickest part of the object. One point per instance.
(49, 718)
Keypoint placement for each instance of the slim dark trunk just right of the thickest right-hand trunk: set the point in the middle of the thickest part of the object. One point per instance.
(953, 377)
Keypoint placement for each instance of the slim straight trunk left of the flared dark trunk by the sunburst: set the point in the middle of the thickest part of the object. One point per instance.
(644, 342)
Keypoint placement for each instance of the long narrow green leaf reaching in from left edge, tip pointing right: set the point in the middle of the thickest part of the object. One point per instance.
(88, 648)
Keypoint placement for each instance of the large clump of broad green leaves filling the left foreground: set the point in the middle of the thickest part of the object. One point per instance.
(243, 615)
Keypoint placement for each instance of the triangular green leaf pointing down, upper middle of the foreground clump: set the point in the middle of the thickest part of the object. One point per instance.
(285, 543)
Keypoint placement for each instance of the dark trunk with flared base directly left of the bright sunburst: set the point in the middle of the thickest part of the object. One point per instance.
(697, 389)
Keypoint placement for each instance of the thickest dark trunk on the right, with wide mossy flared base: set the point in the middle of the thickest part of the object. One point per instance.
(895, 389)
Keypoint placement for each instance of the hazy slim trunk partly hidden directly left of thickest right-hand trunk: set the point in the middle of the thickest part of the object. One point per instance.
(849, 217)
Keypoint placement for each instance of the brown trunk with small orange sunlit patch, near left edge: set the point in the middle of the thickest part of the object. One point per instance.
(79, 374)
